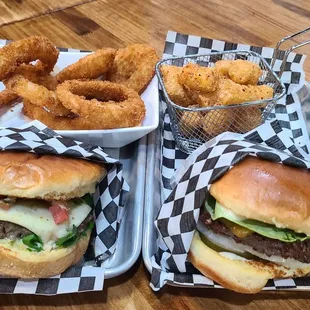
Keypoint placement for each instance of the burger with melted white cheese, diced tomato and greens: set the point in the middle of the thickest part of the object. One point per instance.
(45, 212)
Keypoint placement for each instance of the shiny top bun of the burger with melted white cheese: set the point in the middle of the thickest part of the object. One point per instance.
(48, 177)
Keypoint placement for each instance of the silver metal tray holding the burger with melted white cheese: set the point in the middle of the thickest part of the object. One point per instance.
(133, 157)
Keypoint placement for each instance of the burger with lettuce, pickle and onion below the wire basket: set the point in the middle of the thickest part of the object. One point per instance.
(254, 226)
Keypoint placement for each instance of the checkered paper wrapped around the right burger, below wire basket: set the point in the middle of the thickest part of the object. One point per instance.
(177, 218)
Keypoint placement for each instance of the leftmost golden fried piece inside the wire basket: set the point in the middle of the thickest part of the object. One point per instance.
(175, 90)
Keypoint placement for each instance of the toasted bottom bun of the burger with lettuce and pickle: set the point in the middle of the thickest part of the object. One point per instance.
(237, 273)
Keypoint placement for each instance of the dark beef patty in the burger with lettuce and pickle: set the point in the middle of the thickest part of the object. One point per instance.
(299, 250)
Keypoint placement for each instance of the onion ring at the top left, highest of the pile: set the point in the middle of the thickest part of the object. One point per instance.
(26, 51)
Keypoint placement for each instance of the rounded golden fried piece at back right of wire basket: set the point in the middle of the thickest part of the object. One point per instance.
(244, 72)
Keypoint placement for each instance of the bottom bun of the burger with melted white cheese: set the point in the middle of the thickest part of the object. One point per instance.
(29, 265)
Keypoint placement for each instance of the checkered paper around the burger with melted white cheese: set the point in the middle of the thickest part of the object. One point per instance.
(109, 199)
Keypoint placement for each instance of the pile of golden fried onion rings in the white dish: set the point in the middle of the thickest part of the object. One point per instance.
(78, 97)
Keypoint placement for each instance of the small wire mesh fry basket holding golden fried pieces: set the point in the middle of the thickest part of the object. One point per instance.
(193, 125)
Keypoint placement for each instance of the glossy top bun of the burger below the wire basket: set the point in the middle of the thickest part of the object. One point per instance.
(268, 192)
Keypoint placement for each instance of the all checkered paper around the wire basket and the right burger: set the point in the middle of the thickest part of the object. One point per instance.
(186, 179)
